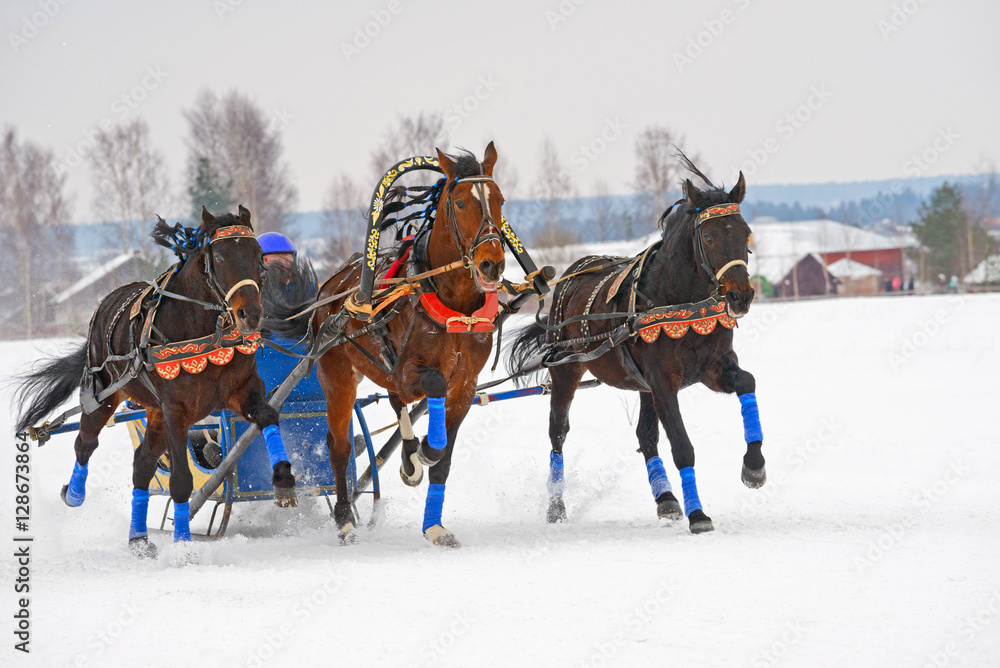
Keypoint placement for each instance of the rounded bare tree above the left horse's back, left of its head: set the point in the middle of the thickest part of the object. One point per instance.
(130, 179)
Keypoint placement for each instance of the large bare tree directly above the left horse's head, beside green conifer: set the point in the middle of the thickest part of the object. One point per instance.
(243, 148)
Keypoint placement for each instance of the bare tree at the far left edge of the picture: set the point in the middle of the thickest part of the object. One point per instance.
(31, 197)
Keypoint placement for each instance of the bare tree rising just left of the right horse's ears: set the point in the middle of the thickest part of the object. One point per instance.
(657, 170)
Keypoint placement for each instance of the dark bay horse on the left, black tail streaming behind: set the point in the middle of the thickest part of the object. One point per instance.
(198, 327)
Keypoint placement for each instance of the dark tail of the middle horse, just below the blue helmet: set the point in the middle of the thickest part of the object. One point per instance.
(286, 292)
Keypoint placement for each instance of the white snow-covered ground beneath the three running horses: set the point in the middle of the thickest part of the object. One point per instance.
(876, 541)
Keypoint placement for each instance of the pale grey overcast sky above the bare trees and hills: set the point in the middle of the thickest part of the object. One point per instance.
(791, 91)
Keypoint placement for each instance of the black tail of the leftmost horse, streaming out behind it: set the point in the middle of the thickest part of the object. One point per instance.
(43, 390)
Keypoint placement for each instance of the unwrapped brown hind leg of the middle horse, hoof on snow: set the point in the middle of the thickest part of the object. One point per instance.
(339, 385)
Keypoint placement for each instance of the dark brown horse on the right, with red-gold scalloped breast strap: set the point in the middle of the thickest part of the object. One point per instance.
(699, 264)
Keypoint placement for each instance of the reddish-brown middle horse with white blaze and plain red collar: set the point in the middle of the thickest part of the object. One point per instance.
(434, 344)
